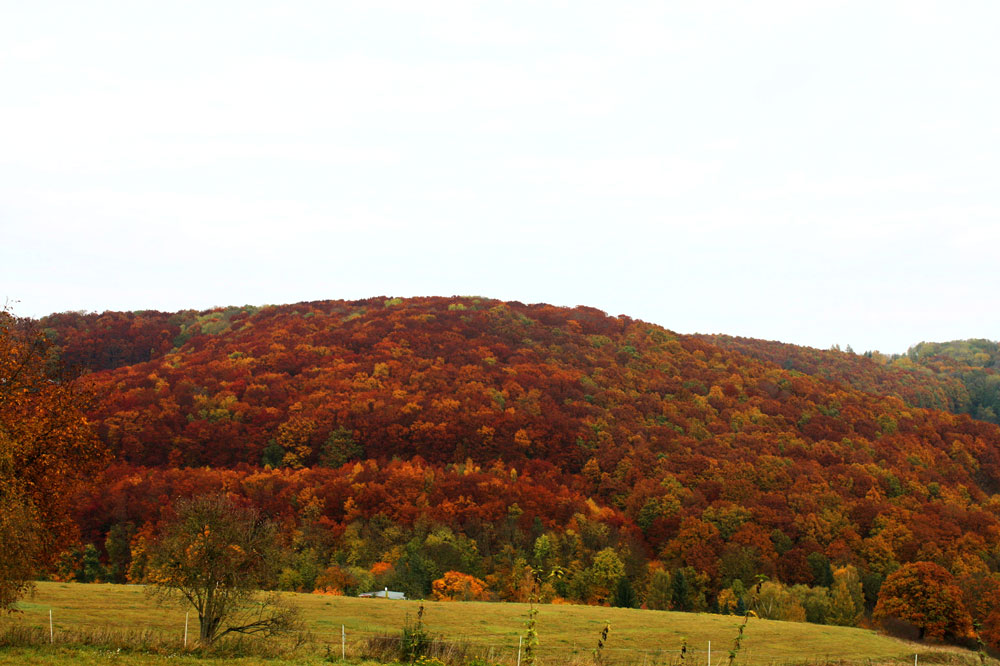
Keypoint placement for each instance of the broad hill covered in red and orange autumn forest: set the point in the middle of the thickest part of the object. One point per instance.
(725, 458)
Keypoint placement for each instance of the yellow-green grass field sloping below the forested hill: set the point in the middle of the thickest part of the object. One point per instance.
(123, 615)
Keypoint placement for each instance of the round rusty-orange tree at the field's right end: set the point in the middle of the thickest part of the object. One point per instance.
(925, 595)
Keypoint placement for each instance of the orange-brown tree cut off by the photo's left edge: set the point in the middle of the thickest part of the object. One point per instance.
(46, 447)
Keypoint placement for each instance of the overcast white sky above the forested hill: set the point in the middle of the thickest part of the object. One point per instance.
(811, 172)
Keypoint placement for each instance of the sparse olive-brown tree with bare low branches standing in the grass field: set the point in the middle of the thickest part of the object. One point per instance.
(217, 555)
